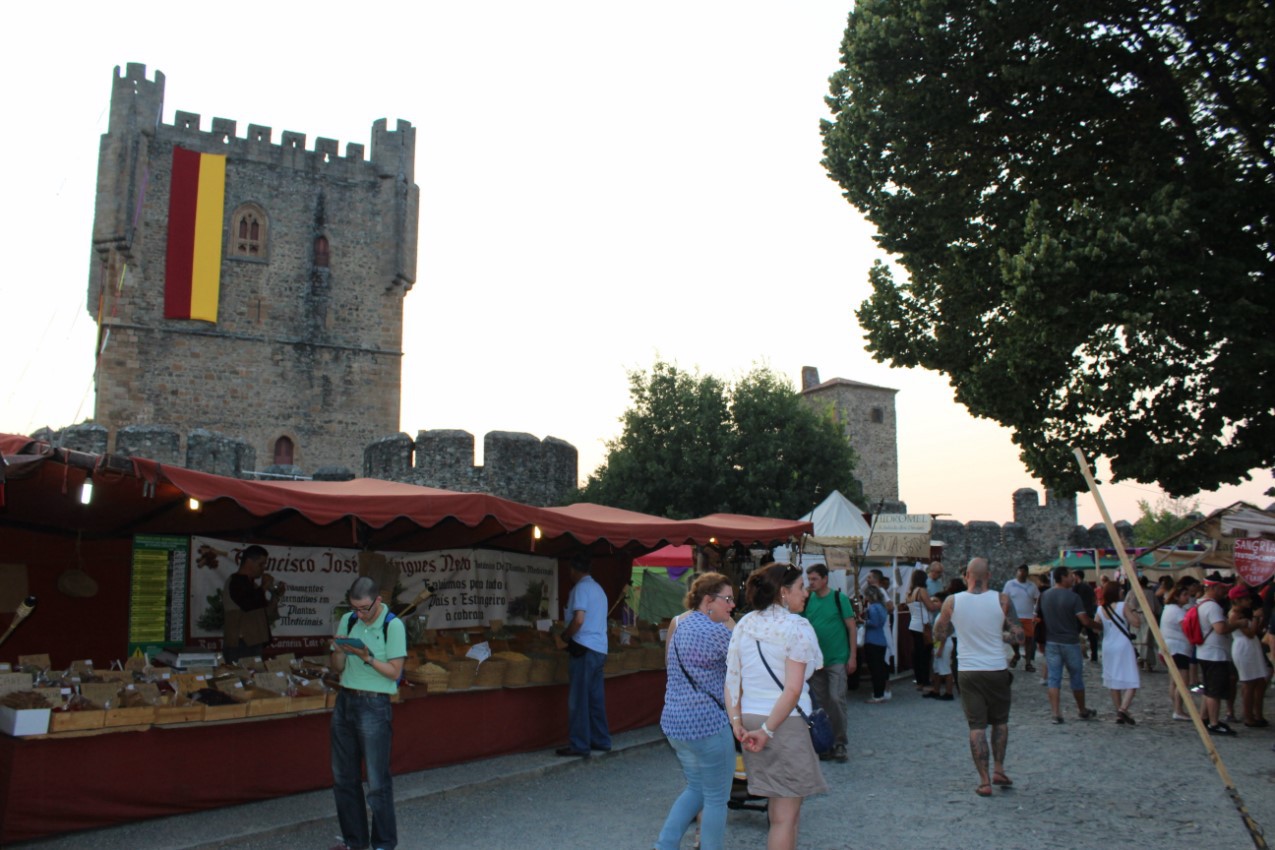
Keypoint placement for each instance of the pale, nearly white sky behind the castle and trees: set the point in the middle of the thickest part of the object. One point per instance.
(602, 185)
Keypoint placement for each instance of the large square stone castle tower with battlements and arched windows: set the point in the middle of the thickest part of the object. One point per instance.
(318, 252)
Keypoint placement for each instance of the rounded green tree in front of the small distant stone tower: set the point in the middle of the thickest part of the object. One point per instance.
(693, 445)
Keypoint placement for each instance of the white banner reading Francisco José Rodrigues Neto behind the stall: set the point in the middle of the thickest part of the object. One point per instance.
(467, 588)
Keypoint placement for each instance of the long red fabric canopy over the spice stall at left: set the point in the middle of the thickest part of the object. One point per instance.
(45, 531)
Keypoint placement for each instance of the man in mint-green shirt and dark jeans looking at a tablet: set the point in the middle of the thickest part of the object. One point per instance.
(369, 652)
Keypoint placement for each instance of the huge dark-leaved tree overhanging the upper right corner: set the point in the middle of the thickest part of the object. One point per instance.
(1081, 201)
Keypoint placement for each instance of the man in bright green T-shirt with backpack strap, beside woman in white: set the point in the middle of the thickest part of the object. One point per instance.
(832, 616)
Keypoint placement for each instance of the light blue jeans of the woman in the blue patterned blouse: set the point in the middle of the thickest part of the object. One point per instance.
(710, 769)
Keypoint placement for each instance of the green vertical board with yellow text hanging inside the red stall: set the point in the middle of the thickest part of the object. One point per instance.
(157, 592)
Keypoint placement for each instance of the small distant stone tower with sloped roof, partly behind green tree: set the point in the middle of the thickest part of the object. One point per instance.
(868, 417)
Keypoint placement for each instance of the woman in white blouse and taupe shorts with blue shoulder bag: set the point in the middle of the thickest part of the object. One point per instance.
(773, 653)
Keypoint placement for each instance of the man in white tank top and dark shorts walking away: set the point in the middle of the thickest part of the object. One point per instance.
(979, 617)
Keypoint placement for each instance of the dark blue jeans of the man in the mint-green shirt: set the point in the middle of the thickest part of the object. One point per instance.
(361, 732)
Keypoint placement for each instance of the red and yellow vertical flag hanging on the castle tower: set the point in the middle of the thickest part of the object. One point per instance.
(197, 205)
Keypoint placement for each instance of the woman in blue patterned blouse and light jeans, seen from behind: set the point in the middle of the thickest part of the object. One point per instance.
(694, 717)
